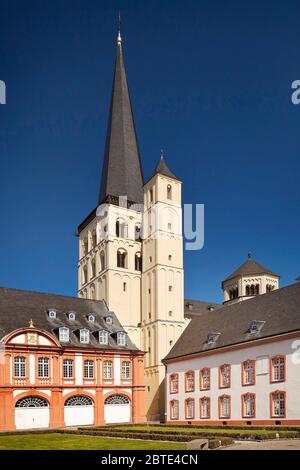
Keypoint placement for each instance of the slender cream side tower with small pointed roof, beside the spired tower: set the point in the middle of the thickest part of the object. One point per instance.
(162, 280)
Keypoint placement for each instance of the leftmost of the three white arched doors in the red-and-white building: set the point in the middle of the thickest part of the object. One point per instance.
(32, 412)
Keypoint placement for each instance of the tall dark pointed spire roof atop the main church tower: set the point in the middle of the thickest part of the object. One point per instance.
(122, 170)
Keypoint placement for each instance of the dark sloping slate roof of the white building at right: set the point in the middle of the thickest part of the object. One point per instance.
(279, 309)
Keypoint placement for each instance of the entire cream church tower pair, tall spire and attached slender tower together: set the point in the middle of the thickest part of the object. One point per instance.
(130, 246)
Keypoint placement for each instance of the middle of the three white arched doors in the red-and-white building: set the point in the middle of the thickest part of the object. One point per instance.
(79, 410)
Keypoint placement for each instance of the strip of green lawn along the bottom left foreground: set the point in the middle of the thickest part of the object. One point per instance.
(70, 442)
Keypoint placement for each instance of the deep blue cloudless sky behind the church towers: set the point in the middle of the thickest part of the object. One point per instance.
(210, 82)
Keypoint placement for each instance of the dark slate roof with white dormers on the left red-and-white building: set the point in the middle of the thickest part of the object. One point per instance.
(17, 307)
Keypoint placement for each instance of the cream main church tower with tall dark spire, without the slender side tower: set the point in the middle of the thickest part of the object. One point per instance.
(110, 252)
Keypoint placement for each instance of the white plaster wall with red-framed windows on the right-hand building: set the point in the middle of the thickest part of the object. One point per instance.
(262, 388)
